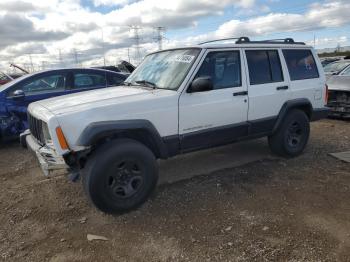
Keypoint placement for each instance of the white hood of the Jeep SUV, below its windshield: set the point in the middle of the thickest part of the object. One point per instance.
(97, 98)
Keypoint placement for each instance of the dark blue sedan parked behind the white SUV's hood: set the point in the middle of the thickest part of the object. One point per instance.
(16, 95)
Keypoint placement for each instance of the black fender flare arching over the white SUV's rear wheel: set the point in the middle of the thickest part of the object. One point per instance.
(290, 104)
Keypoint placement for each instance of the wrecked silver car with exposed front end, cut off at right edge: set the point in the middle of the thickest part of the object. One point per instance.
(339, 94)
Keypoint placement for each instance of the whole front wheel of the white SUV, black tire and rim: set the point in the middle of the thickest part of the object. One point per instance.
(120, 176)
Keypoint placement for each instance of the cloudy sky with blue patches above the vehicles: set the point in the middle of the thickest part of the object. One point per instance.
(61, 32)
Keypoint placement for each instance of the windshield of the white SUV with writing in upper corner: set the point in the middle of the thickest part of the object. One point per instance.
(165, 70)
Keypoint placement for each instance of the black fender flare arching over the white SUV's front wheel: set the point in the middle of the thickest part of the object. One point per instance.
(104, 129)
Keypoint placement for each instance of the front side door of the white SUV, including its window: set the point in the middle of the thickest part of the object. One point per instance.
(220, 115)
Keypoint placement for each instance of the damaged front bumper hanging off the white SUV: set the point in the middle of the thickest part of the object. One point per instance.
(48, 159)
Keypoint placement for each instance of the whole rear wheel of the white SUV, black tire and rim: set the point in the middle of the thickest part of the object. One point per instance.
(291, 137)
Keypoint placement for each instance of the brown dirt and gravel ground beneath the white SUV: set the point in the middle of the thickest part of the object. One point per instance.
(269, 208)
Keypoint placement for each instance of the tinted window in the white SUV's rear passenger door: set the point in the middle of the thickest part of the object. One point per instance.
(264, 66)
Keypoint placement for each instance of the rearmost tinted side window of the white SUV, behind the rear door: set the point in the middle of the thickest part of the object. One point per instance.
(301, 64)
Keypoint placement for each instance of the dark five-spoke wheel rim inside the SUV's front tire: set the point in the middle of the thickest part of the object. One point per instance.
(125, 179)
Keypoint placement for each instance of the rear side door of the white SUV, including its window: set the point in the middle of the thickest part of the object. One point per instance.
(268, 88)
